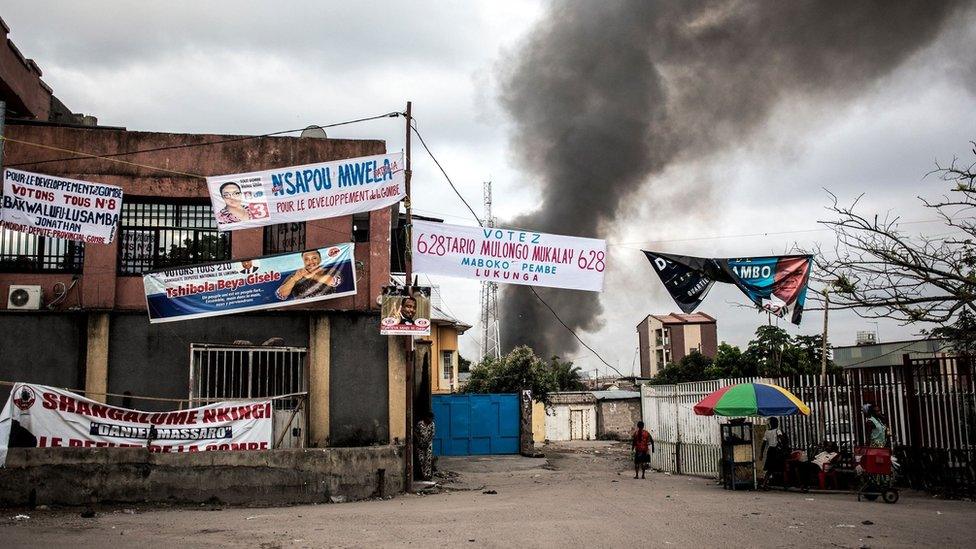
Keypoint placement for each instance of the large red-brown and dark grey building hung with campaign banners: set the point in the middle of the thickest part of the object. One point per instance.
(90, 329)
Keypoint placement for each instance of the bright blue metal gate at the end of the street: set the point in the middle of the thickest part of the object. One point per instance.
(466, 425)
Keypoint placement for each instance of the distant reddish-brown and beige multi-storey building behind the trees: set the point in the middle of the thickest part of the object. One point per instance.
(666, 339)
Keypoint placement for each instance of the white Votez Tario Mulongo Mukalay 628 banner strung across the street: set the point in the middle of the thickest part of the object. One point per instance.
(506, 255)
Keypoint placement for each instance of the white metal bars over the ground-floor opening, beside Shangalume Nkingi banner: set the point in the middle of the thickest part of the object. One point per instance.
(220, 372)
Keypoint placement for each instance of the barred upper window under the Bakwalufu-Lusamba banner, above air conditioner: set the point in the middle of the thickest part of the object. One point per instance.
(28, 253)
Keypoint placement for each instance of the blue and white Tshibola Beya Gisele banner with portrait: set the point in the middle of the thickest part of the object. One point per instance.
(268, 282)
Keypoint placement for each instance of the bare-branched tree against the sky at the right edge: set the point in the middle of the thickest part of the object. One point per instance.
(882, 271)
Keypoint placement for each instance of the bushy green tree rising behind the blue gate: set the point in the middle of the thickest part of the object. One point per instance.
(518, 370)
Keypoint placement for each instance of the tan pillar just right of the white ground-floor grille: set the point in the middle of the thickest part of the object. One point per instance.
(319, 361)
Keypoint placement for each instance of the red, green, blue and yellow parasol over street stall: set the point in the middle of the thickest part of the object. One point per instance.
(751, 399)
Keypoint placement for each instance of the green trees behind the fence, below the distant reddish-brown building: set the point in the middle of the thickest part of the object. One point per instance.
(772, 353)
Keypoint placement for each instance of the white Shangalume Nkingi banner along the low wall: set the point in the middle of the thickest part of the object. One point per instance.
(48, 417)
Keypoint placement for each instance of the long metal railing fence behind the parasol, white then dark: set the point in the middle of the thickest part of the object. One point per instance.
(928, 405)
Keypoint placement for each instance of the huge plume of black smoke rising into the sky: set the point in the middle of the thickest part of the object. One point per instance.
(606, 94)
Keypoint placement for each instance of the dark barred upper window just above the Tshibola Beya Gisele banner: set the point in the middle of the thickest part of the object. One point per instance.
(160, 235)
